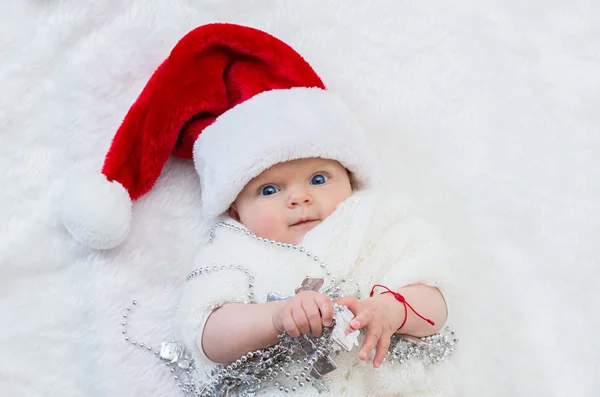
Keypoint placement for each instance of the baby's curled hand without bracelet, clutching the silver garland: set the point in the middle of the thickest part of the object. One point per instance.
(305, 313)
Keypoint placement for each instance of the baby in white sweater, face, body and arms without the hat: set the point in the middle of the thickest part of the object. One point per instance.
(309, 204)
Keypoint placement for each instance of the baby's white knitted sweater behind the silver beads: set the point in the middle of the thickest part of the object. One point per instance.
(371, 238)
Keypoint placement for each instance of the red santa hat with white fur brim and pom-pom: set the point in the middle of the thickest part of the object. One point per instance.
(236, 100)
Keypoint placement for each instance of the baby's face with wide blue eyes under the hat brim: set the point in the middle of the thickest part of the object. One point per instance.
(289, 199)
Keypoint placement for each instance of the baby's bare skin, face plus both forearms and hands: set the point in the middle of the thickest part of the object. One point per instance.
(284, 203)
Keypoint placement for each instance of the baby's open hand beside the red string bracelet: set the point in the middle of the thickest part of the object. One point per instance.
(381, 315)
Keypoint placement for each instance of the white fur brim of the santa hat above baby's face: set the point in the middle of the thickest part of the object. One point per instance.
(273, 127)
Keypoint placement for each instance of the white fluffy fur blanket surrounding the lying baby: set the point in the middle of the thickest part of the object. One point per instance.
(486, 112)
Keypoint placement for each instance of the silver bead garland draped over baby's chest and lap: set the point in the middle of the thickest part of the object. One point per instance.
(292, 363)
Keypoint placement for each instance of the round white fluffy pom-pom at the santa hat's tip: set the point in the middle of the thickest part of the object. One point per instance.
(95, 211)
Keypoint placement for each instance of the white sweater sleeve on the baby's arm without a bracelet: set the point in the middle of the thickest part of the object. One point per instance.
(203, 294)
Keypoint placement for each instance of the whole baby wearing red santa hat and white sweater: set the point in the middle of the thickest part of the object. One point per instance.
(304, 236)
